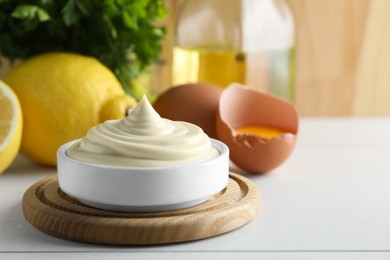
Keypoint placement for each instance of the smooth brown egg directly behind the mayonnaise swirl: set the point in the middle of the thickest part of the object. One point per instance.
(196, 103)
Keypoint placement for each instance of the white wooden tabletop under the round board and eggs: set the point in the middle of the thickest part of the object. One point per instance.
(330, 200)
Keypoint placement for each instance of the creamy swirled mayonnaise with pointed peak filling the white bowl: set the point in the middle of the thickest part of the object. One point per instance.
(143, 139)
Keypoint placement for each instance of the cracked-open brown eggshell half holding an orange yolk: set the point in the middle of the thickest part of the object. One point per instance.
(244, 106)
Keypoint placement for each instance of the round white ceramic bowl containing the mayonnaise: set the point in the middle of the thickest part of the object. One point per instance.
(139, 189)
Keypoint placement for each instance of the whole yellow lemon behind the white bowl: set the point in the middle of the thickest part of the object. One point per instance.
(62, 95)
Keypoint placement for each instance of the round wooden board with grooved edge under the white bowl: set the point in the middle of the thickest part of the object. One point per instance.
(52, 211)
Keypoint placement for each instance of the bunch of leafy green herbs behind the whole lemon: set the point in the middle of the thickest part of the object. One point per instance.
(122, 34)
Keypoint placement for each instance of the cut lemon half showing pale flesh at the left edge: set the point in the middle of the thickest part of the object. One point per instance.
(10, 126)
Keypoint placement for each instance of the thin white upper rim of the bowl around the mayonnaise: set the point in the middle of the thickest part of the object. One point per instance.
(221, 147)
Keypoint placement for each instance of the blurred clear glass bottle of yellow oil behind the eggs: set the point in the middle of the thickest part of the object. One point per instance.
(245, 41)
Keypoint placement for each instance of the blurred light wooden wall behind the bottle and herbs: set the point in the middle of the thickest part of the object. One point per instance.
(342, 56)
